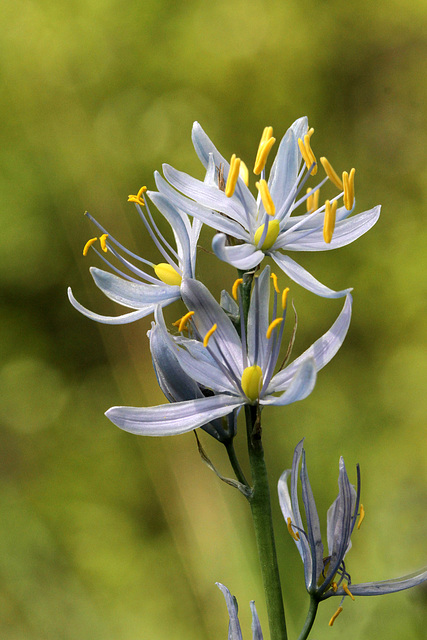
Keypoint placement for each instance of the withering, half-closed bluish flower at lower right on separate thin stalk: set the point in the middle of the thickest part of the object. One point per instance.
(328, 576)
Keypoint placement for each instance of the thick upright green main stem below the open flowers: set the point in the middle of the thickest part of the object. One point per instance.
(263, 524)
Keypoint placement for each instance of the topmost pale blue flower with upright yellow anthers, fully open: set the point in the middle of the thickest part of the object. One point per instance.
(250, 228)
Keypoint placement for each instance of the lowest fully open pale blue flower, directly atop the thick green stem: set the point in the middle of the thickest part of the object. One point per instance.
(238, 371)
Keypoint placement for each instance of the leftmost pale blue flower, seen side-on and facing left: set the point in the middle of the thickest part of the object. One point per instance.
(133, 287)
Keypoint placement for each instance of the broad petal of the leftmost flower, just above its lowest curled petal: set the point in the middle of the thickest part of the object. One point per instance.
(133, 294)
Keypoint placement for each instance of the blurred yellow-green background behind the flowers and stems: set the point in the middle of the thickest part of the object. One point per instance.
(107, 535)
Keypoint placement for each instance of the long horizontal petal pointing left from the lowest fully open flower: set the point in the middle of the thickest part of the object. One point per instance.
(172, 419)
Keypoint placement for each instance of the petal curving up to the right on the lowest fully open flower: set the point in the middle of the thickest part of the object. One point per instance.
(322, 351)
